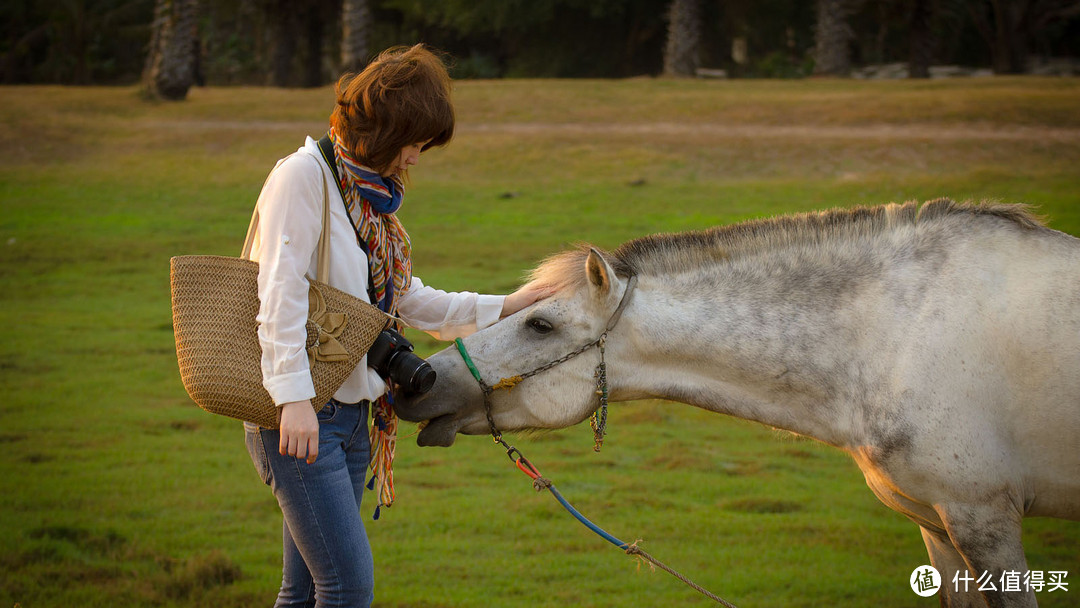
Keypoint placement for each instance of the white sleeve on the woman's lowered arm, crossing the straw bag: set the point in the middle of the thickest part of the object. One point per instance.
(290, 225)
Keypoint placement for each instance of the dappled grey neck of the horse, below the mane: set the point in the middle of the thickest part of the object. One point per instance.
(791, 346)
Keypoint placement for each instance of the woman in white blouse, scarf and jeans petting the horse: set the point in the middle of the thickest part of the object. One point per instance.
(386, 117)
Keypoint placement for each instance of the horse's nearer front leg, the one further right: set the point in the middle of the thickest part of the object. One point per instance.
(989, 538)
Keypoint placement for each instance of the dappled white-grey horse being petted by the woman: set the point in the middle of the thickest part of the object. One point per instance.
(940, 347)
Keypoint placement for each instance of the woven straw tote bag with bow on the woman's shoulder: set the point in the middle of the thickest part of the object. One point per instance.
(215, 303)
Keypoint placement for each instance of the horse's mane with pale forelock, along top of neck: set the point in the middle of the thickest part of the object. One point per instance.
(671, 253)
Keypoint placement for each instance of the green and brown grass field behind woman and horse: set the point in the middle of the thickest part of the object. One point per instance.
(116, 491)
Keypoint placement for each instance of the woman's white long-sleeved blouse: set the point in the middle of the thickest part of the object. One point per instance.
(291, 208)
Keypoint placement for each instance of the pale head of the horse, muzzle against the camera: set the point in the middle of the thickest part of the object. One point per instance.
(588, 294)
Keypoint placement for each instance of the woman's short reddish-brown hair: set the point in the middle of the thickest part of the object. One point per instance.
(402, 98)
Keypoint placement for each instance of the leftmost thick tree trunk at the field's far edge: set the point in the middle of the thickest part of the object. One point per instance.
(172, 62)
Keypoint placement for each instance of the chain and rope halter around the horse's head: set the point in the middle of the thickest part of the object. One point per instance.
(599, 420)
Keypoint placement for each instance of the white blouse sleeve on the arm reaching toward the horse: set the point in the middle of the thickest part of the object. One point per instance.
(448, 316)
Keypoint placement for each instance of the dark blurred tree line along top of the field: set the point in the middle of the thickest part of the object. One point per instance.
(309, 43)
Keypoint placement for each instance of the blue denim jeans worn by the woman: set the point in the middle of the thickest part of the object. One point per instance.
(327, 558)
